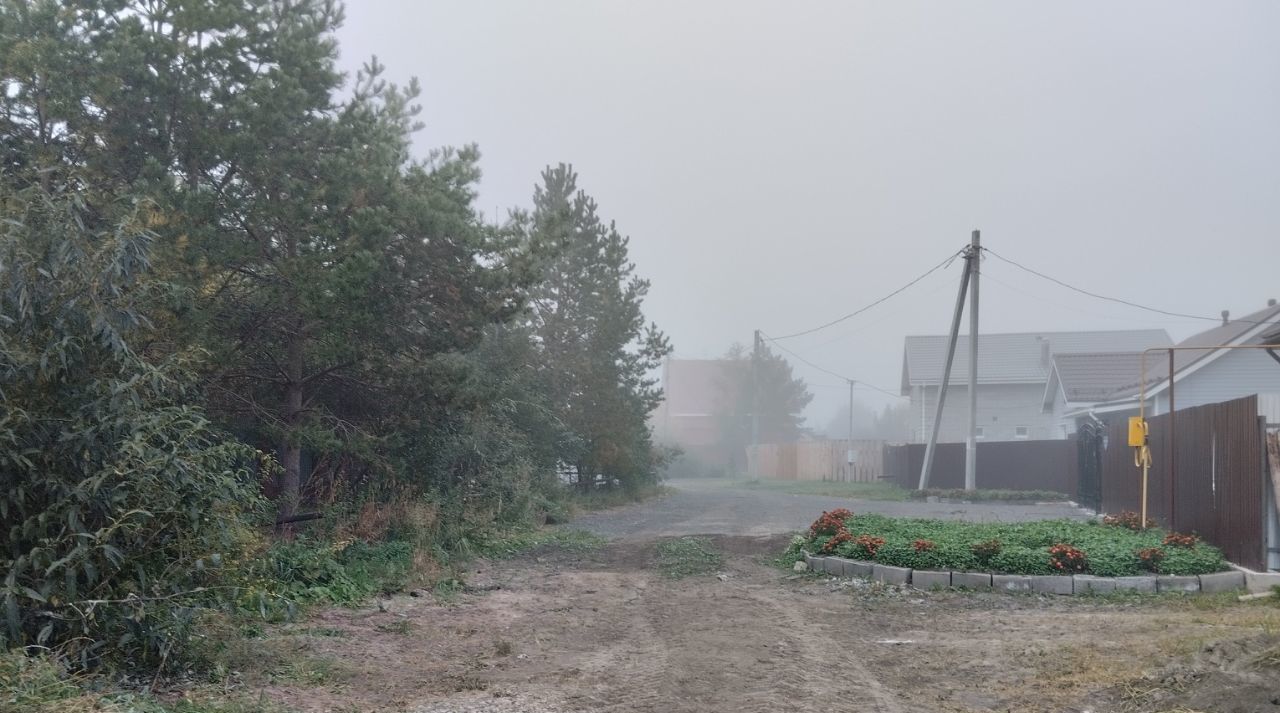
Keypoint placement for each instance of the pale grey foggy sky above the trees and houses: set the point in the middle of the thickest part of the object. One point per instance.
(780, 164)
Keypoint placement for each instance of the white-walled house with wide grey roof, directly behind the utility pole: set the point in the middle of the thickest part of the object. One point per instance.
(1013, 372)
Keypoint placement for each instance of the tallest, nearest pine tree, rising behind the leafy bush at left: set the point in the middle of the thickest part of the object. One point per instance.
(316, 255)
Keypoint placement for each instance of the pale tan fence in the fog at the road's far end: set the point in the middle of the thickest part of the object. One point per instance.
(817, 460)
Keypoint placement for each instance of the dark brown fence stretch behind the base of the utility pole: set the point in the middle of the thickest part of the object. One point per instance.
(1014, 465)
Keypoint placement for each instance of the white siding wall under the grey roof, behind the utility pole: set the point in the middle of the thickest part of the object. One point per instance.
(1002, 409)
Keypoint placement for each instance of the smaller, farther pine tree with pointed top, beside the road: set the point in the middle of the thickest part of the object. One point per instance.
(597, 348)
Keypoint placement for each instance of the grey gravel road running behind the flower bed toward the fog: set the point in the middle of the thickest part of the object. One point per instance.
(712, 508)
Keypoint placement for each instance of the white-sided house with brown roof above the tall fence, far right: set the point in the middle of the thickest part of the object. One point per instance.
(1107, 386)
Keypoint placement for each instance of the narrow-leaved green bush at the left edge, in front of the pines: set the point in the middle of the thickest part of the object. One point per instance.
(122, 506)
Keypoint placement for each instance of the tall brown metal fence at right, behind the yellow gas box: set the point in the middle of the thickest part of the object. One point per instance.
(1212, 483)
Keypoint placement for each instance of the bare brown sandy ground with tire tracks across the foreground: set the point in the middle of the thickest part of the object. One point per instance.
(563, 632)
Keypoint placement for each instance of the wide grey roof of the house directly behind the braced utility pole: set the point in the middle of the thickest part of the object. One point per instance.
(1017, 358)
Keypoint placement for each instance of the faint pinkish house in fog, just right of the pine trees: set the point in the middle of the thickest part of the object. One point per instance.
(694, 392)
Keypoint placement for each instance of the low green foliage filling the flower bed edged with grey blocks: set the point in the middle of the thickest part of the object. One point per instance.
(1017, 549)
